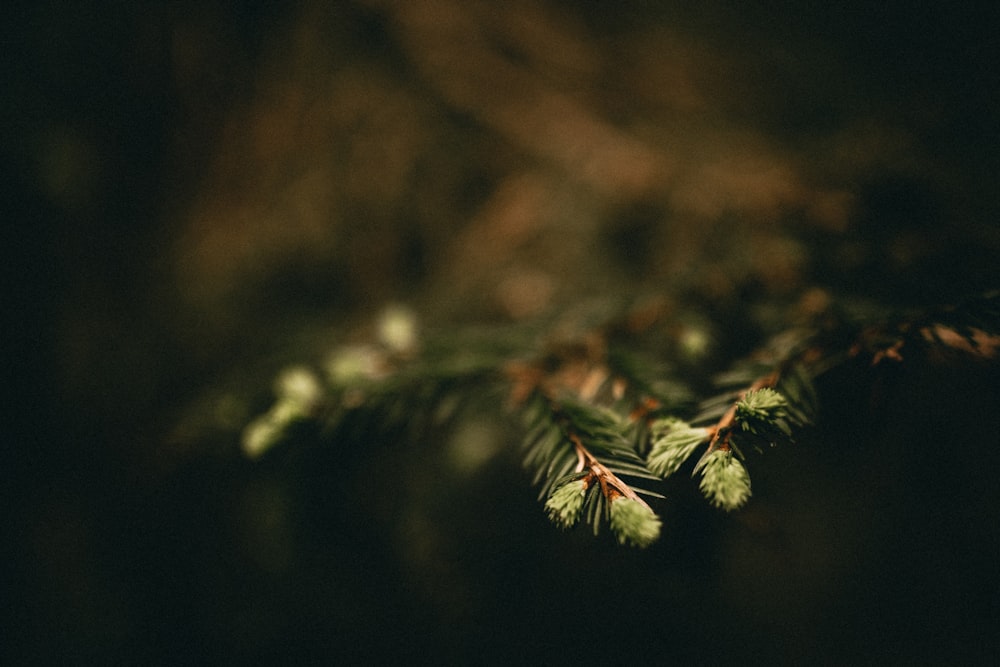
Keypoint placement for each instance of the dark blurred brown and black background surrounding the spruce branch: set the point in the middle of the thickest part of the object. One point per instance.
(200, 193)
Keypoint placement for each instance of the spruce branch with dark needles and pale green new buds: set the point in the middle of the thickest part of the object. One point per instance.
(598, 417)
